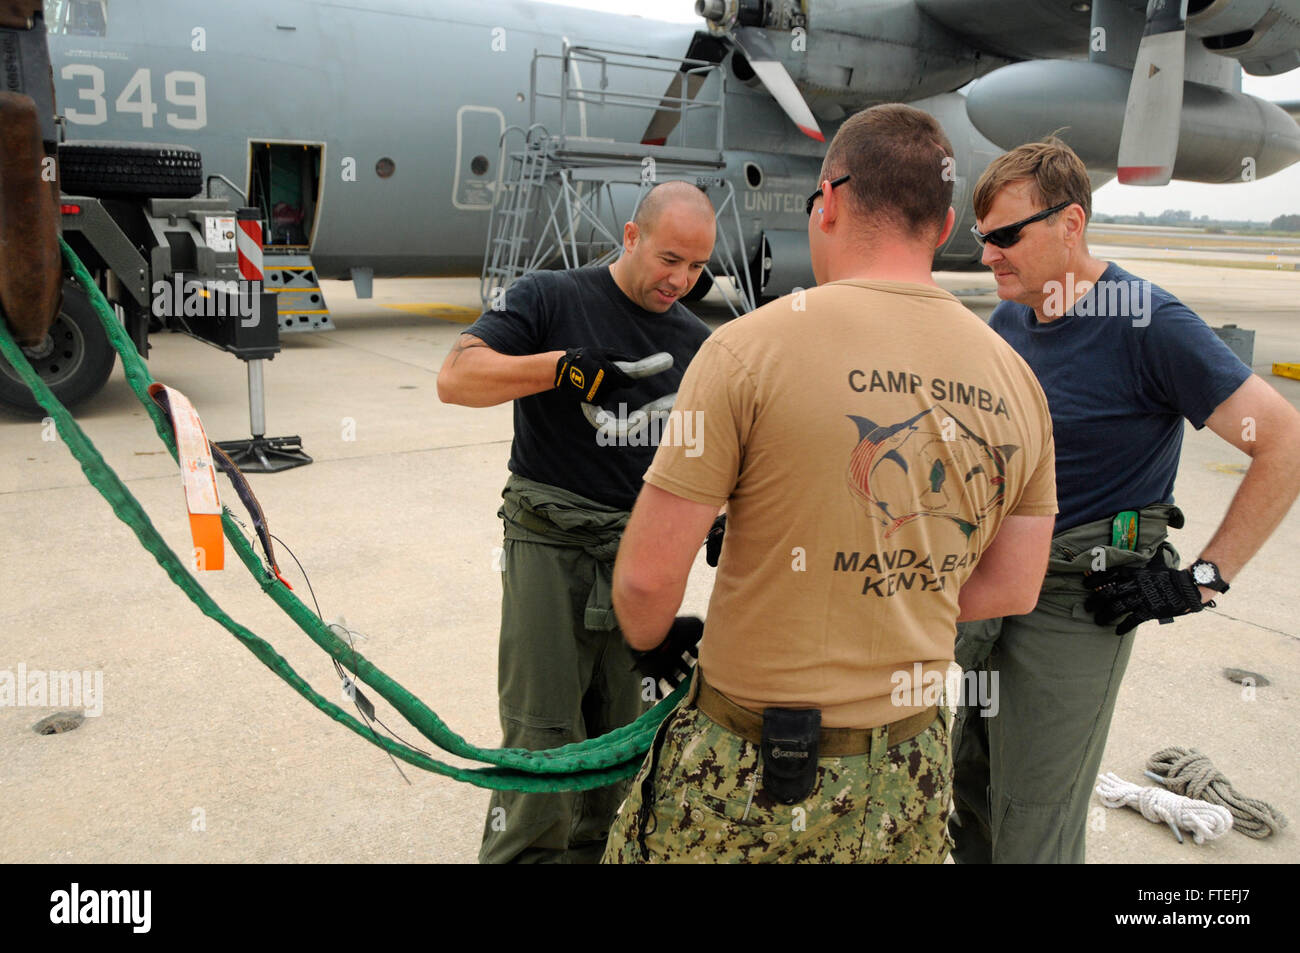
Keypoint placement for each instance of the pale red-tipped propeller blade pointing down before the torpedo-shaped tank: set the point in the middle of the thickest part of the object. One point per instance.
(1150, 140)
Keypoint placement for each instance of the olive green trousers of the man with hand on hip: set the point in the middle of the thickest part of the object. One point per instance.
(1024, 778)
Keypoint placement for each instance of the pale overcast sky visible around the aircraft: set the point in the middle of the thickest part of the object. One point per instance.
(1263, 200)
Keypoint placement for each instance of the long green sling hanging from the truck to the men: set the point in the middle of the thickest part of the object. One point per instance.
(582, 766)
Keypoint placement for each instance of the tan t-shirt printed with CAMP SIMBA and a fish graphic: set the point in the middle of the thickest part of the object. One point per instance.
(868, 448)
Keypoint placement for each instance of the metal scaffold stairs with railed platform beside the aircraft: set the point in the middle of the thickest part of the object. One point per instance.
(564, 197)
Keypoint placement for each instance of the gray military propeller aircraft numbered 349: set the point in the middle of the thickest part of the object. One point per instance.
(376, 136)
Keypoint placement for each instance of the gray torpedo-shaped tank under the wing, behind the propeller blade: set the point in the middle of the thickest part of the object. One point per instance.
(1225, 137)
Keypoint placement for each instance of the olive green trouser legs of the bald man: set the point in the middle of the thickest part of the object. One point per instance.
(558, 683)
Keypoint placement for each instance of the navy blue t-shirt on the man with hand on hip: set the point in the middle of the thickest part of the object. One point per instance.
(1121, 371)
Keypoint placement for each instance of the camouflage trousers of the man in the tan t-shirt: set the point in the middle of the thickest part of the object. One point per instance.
(709, 805)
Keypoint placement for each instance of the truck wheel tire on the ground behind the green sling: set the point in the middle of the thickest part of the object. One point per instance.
(75, 359)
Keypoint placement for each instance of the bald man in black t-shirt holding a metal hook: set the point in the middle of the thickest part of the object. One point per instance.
(552, 346)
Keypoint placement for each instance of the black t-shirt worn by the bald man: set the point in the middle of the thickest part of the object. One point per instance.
(554, 311)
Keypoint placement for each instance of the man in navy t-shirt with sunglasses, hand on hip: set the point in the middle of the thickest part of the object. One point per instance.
(1124, 365)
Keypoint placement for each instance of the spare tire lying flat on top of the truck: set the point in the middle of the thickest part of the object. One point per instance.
(118, 170)
